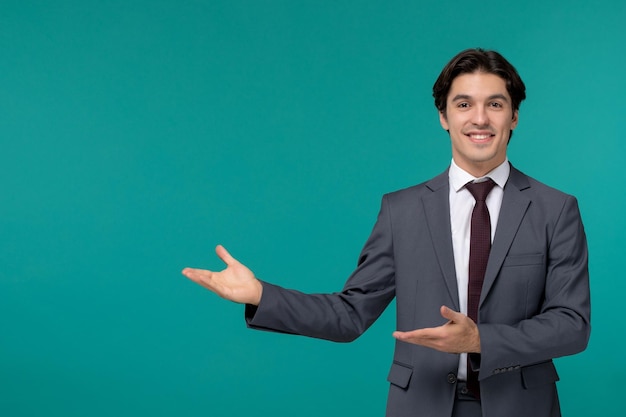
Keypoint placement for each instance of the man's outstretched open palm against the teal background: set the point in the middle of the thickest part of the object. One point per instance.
(235, 283)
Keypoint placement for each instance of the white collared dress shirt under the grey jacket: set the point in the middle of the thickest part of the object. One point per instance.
(461, 205)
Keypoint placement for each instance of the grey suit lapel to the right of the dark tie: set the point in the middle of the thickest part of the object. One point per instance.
(512, 211)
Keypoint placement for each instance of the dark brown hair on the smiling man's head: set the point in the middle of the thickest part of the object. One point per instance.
(479, 60)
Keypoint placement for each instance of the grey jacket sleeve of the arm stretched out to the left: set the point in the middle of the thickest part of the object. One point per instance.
(343, 316)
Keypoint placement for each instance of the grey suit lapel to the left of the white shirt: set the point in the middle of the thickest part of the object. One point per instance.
(437, 209)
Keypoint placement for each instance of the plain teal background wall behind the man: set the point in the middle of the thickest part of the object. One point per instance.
(137, 135)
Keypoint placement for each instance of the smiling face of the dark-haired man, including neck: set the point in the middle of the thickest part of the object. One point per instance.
(479, 117)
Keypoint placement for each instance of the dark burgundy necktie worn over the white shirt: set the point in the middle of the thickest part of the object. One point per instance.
(480, 245)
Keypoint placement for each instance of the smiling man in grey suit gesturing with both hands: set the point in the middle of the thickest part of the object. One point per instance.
(490, 285)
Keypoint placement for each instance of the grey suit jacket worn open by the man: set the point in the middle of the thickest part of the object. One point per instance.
(534, 307)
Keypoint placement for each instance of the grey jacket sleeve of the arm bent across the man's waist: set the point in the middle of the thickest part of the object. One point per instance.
(562, 325)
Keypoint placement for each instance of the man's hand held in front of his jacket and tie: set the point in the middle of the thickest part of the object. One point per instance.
(458, 335)
